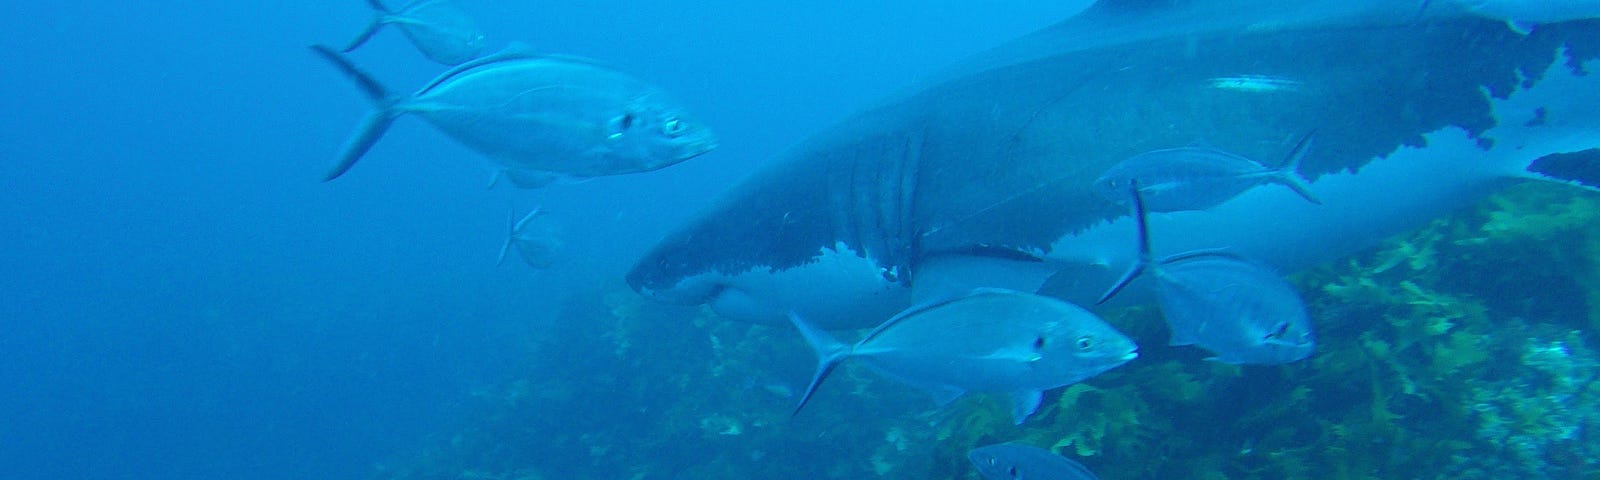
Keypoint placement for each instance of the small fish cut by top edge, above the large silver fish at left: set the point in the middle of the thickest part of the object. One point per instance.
(438, 28)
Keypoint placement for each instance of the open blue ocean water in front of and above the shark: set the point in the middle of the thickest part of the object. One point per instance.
(185, 300)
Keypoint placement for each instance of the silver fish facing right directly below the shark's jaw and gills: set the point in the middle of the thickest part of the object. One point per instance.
(985, 342)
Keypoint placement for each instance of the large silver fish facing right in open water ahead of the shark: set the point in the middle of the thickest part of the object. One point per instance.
(538, 114)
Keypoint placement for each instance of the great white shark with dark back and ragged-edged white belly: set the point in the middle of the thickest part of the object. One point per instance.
(985, 175)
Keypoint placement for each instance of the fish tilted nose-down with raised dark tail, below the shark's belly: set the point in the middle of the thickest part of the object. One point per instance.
(1231, 306)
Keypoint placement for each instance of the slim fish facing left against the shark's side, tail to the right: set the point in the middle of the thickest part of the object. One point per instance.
(1199, 178)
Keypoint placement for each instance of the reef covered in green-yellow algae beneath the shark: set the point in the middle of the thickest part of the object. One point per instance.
(1462, 351)
